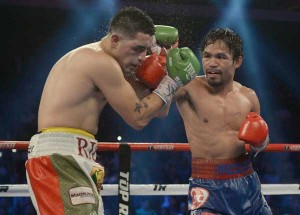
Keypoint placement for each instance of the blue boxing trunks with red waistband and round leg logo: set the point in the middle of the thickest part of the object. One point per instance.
(228, 187)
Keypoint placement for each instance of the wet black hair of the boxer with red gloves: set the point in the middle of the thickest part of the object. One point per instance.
(228, 36)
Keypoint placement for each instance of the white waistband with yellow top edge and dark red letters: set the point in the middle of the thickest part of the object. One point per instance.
(65, 141)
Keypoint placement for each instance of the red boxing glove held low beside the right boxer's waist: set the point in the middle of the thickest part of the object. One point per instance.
(254, 131)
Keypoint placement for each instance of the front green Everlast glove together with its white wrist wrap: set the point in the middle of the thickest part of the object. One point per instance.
(183, 66)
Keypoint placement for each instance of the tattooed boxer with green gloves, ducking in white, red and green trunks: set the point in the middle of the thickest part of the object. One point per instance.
(62, 174)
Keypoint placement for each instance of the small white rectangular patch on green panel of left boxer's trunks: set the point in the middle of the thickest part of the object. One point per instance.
(82, 195)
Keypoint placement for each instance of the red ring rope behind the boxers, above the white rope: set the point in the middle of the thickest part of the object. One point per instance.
(114, 146)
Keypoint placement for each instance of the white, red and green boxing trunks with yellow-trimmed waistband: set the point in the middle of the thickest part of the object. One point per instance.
(62, 174)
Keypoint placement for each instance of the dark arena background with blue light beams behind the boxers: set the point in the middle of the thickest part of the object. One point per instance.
(35, 34)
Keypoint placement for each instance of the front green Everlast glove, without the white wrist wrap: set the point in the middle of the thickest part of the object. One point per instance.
(182, 65)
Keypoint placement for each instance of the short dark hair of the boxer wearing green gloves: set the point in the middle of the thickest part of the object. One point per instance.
(130, 20)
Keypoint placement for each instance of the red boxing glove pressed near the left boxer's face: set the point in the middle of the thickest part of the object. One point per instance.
(151, 71)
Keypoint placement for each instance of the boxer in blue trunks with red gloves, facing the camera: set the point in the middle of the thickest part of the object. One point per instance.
(219, 116)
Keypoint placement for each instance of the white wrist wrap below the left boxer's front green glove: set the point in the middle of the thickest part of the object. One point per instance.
(166, 89)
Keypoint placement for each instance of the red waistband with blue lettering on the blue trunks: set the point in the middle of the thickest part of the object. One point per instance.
(221, 169)
